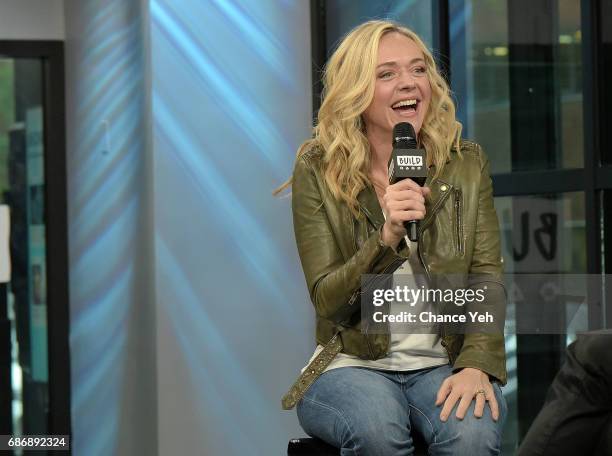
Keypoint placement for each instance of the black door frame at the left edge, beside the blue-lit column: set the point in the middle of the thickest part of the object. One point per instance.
(56, 222)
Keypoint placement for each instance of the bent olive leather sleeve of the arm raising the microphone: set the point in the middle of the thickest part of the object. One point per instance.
(333, 283)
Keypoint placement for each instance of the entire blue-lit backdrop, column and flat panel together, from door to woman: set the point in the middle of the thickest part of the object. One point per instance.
(189, 263)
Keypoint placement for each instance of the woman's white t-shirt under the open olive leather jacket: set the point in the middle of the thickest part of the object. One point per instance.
(406, 351)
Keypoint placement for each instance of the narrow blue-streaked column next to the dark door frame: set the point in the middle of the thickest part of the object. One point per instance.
(106, 150)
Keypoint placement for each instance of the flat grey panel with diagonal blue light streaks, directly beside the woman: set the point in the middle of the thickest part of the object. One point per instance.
(231, 103)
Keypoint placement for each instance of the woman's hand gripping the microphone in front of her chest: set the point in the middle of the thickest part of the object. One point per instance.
(402, 201)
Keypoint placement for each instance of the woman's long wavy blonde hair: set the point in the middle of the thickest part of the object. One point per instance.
(349, 80)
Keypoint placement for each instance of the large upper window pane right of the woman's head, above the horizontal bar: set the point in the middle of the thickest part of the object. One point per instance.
(516, 75)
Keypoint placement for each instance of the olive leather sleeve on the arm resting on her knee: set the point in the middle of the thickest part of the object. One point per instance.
(486, 350)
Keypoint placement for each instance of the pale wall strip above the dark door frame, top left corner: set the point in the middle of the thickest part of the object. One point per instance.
(32, 19)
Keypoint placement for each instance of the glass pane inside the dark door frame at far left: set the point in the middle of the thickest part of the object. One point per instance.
(22, 188)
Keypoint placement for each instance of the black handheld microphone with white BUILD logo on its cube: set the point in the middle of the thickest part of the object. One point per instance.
(407, 161)
